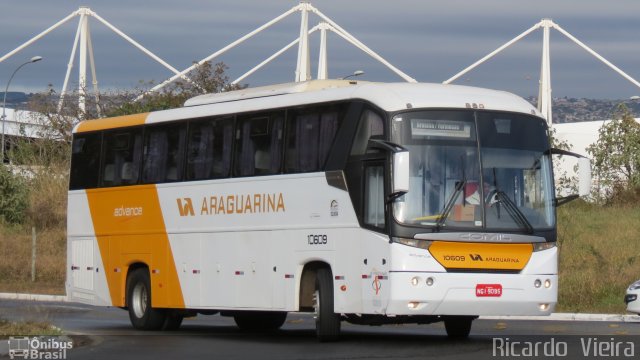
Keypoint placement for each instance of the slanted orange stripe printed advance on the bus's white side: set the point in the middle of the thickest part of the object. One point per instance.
(130, 229)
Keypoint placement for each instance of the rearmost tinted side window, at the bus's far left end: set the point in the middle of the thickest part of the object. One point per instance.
(85, 159)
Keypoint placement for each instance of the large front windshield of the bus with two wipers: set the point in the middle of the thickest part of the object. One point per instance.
(475, 170)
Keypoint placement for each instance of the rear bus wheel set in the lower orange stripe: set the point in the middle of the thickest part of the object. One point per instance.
(141, 314)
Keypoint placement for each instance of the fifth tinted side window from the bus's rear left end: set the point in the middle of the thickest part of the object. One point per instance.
(259, 147)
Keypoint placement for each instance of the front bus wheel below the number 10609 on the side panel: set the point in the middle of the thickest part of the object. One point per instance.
(327, 321)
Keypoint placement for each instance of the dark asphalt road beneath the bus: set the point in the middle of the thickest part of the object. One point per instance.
(105, 333)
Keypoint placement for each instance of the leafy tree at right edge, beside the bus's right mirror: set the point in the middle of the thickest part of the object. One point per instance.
(616, 154)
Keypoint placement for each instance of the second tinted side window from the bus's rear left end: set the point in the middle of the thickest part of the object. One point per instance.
(122, 157)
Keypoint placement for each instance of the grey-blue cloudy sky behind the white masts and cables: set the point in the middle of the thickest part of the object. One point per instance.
(429, 40)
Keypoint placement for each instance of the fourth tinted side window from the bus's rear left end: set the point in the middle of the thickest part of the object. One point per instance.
(209, 149)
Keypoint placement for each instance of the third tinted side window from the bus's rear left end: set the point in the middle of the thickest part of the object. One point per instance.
(162, 154)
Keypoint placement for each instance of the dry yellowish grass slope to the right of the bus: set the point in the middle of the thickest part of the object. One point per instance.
(599, 256)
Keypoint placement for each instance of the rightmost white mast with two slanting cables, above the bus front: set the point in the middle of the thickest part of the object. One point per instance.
(544, 94)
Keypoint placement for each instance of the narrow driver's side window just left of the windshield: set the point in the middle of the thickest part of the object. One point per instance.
(374, 196)
